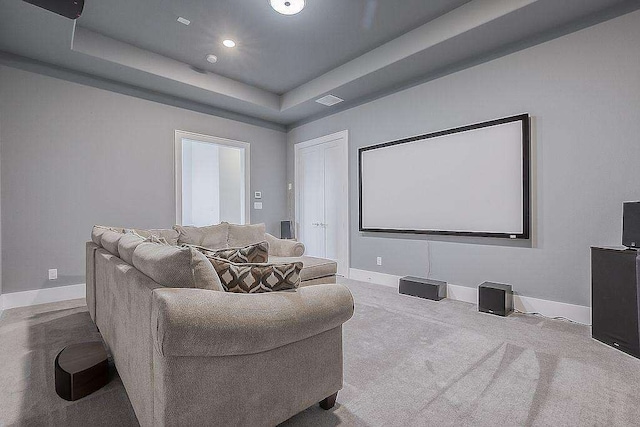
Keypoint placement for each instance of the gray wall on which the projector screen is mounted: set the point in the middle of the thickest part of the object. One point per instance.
(583, 93)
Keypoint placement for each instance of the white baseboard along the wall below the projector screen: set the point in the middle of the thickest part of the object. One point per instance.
(575, 313)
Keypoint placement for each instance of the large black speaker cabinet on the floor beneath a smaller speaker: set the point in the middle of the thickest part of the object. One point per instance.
(615, 298)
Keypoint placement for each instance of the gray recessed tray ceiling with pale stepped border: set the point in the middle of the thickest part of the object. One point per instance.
(356, 49)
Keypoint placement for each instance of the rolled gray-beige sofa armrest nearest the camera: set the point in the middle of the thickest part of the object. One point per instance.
(200, 322)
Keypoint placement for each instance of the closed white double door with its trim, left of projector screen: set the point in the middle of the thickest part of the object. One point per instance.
(322, 198)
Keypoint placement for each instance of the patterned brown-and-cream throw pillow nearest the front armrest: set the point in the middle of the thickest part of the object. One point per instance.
(255, 278)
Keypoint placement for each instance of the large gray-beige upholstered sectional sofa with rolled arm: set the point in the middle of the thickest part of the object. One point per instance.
(189, 356)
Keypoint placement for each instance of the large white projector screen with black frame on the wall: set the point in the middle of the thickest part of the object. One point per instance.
(470, 181)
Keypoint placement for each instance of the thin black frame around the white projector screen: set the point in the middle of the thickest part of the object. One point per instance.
(526, 179)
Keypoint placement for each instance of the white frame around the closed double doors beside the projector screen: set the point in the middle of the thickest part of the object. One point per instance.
(343, 136)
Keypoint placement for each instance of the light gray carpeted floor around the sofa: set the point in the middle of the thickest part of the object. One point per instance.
(408, 362)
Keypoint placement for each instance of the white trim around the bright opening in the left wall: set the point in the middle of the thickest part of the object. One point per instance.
(177, 168)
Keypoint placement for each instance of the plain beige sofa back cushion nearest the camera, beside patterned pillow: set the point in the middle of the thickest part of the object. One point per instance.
(176, 267)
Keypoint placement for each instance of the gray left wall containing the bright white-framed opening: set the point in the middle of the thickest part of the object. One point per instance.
(73, 156)
